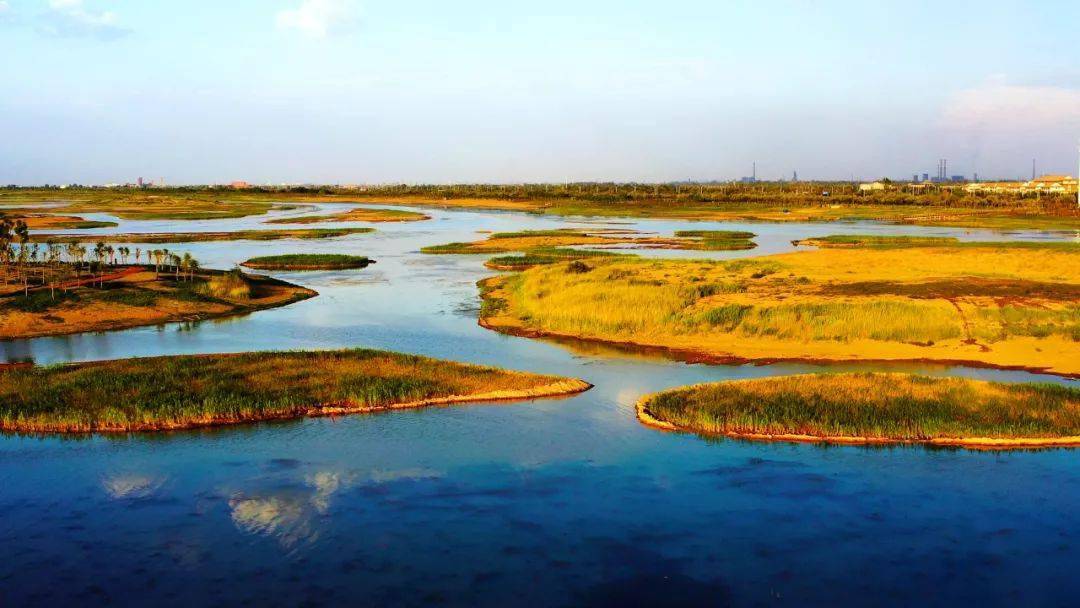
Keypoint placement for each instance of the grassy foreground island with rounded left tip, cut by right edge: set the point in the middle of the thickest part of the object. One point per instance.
(871, 409)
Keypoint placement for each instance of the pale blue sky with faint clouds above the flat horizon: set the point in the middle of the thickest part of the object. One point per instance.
(437, 92)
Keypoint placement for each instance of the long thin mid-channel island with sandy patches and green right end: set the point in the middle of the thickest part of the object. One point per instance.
(536, 241)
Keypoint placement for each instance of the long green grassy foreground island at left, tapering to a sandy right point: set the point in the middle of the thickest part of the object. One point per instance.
(183, 393)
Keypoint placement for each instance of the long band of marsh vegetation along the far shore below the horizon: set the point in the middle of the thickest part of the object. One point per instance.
(805, 201)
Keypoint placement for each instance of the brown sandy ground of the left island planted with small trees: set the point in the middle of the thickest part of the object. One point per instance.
(132, 296)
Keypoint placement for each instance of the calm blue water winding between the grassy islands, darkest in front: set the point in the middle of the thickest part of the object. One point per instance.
(549, 503)
